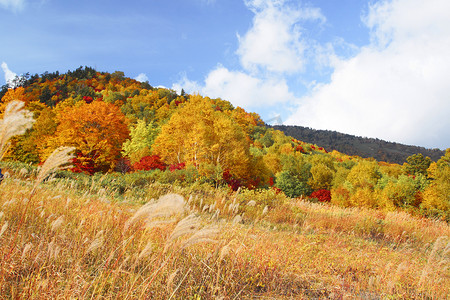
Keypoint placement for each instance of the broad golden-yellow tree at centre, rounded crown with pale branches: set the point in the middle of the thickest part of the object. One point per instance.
(203, 137)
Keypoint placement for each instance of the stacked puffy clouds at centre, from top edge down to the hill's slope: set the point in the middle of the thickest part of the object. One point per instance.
(272, 47)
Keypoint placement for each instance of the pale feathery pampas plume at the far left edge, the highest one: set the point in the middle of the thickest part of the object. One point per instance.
(16, 121)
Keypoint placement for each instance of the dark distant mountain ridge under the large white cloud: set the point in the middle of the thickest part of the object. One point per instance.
(361, 146)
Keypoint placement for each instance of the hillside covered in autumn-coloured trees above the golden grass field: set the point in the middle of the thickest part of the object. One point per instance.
(133, 133)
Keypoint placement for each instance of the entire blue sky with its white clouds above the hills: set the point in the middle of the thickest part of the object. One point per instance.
(371, 68)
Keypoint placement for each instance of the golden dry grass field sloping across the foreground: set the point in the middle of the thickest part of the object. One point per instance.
(72, 244)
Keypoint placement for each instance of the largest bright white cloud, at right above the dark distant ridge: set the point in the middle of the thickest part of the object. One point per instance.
(397, 87)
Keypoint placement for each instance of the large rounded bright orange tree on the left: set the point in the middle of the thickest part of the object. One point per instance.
(97, 131)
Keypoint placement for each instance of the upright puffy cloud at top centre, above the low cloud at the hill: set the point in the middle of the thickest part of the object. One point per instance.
(274, 42)
